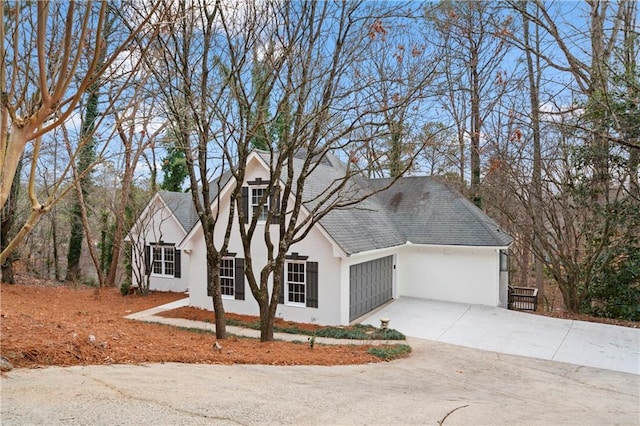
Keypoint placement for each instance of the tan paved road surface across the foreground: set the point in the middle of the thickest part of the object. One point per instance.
(439, 381)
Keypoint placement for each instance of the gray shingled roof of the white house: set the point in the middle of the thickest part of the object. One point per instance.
(422, 210)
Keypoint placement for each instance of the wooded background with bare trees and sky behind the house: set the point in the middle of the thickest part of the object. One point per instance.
(530, 108)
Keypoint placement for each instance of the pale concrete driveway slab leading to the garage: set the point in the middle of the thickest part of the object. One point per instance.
(516, 333)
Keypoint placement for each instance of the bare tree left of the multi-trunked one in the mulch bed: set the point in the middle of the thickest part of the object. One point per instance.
(193, 80)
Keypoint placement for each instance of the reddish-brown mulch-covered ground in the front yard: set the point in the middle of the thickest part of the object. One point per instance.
(45, 324)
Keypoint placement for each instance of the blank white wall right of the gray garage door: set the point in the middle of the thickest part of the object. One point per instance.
(455, 274)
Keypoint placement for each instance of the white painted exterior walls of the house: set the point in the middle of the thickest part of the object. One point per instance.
(457, 274)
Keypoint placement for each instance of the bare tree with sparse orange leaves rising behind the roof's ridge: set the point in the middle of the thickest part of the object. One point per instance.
(399, 57)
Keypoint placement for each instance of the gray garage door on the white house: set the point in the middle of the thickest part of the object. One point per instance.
(371, 285)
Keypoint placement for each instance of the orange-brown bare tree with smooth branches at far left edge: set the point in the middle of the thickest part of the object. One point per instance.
(50, 57)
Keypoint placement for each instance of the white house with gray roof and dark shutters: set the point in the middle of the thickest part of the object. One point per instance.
(420, 238)
